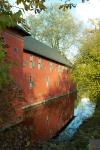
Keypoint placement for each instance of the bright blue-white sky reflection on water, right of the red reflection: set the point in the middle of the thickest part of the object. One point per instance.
(84, 110)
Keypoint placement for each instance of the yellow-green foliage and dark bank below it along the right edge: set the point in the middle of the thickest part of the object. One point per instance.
(86, 73)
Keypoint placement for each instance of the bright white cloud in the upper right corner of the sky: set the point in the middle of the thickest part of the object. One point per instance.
(88, 10)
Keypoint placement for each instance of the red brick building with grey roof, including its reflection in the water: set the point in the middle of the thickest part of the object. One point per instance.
(44, 76)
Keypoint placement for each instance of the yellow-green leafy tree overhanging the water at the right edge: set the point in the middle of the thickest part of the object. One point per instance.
(86, 70)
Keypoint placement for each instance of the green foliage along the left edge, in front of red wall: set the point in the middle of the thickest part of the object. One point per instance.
(7, 19)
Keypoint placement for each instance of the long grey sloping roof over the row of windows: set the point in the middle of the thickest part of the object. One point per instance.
(35, 46)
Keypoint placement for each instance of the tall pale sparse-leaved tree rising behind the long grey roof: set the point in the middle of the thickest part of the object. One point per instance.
(55, 27)
